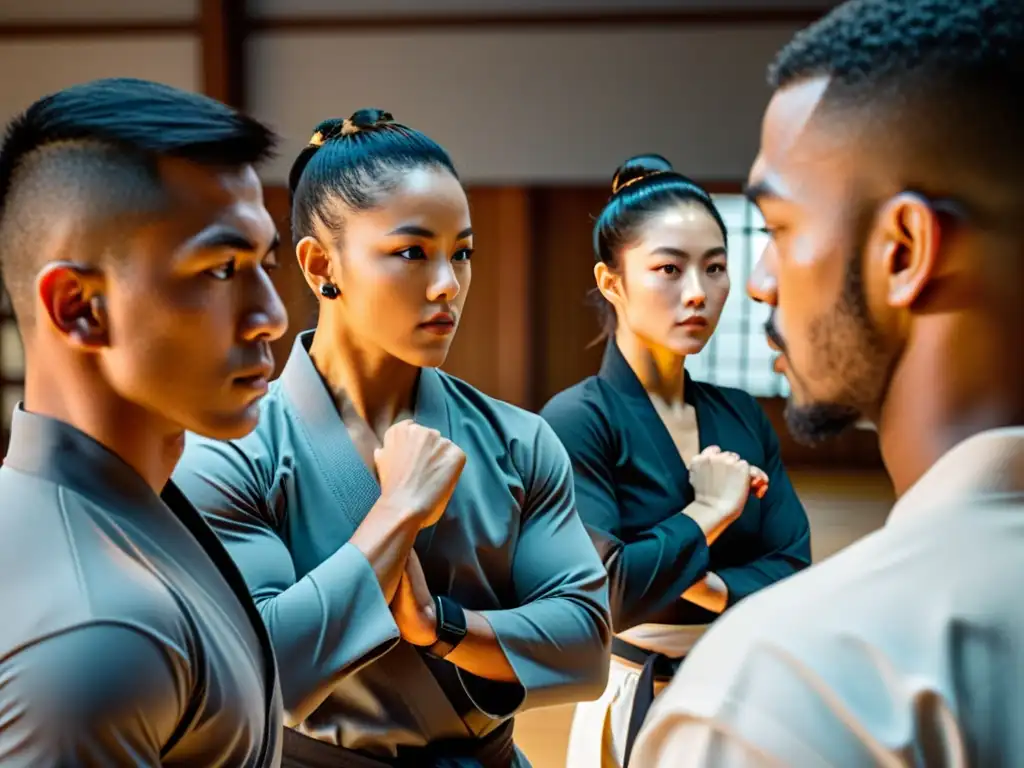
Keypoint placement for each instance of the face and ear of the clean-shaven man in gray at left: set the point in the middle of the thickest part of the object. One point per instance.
(182, 319)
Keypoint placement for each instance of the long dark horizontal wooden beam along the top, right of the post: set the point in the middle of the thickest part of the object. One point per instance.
(434, 22)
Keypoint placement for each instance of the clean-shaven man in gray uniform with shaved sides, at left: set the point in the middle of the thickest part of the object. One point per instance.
(135, 243)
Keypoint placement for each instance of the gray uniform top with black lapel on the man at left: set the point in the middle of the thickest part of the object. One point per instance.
(129, 637)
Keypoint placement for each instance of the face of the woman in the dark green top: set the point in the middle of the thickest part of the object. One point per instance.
(671, 283)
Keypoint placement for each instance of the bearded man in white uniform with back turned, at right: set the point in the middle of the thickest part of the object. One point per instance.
(891, 179)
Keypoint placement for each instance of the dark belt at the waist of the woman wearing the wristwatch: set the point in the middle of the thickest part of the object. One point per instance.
(497, 750)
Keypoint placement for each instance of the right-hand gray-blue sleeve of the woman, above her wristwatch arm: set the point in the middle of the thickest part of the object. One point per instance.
(558, 639)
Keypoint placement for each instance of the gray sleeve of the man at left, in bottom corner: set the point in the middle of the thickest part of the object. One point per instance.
(98, 696)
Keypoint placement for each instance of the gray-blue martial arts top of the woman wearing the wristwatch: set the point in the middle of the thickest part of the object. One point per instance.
(285, 501)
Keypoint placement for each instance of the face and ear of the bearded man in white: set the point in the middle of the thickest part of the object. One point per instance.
(846, 254)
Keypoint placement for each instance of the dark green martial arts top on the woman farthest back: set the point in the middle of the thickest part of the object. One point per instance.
(632, 486)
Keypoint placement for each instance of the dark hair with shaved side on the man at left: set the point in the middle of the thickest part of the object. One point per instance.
(79, 170)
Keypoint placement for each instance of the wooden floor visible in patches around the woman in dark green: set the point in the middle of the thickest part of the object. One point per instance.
(841, 507)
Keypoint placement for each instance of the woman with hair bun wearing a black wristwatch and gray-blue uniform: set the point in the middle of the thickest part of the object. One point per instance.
(412, 544)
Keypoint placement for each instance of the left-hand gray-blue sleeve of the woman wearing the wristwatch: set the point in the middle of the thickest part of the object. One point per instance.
(326, 625)
